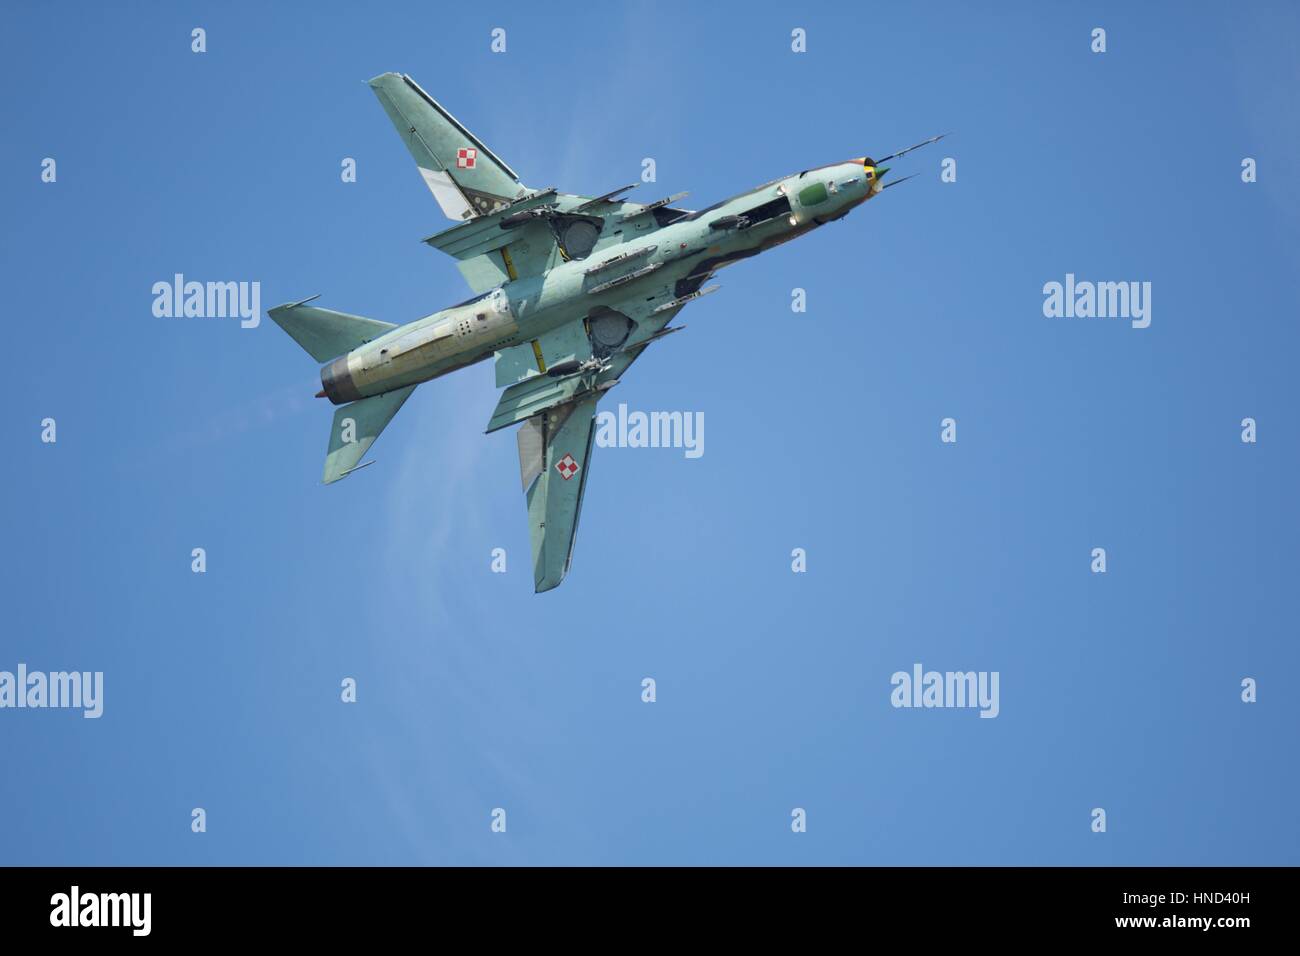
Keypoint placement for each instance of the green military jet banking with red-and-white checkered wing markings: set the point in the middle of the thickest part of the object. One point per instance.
(569, 292)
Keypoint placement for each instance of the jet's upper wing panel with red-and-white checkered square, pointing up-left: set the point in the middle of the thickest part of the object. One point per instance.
(465, 176)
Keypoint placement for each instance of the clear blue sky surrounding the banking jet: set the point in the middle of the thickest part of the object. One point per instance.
(1120, 691)
